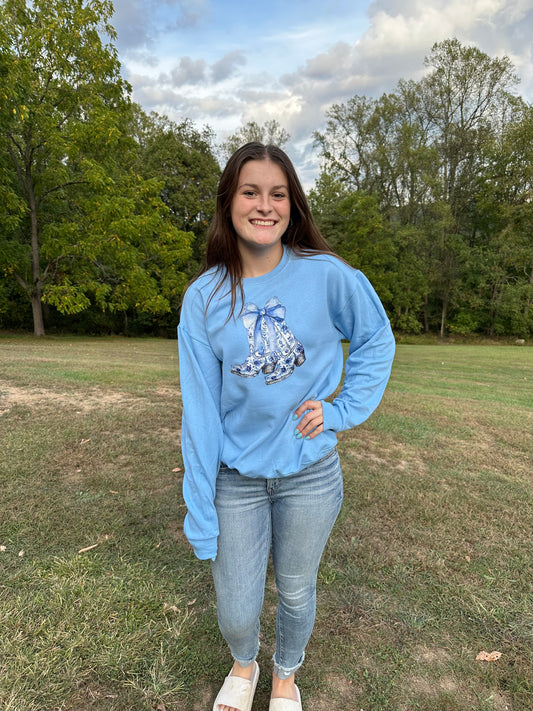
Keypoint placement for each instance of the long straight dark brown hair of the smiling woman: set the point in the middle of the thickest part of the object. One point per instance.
(302, 235)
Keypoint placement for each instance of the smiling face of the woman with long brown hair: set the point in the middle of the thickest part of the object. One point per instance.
(261, 208)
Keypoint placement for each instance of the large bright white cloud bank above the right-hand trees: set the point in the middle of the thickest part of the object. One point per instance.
(400, 35)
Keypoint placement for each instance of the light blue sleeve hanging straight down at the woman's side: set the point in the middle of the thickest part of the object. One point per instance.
(200, 378)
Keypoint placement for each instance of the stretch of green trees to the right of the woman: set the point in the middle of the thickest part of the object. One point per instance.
(429, 190)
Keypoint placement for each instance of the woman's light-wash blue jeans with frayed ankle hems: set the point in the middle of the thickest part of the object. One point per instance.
(294, 515)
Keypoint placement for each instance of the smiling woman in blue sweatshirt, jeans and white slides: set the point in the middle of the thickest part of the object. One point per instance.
(260, 351)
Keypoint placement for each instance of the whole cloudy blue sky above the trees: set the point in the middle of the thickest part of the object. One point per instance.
(222, 64)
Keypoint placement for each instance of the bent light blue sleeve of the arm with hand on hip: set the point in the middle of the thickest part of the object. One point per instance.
(361, 320)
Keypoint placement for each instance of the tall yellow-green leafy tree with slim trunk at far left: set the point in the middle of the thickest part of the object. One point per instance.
(84, 227)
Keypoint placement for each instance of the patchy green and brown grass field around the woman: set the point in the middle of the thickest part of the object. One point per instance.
(103, 605)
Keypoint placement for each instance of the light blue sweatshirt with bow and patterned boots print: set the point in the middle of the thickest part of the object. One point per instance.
(243, 379)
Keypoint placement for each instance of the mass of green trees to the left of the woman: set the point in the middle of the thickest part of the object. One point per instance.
(103, 209)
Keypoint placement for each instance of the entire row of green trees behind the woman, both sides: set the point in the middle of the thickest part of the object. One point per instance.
(104, 209)
